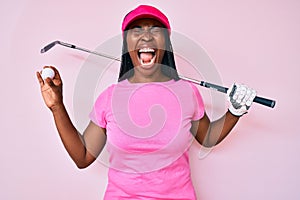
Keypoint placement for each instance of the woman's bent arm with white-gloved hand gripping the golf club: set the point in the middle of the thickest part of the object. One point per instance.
(212, 133)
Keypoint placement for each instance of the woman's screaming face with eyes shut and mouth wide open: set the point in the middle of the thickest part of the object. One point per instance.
(146, 46)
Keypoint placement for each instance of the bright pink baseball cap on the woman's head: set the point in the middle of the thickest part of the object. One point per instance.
(145, 11)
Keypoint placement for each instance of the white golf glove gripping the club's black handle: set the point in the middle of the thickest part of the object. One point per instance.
(240, 98)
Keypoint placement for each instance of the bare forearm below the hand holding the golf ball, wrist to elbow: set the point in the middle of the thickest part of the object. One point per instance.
(72, 140)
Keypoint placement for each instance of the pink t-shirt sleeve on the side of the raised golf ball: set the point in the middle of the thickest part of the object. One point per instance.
(98, 115)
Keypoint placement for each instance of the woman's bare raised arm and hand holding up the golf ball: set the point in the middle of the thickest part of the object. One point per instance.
(82, 149)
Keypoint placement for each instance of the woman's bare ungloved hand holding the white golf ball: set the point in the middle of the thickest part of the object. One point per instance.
(51, 89)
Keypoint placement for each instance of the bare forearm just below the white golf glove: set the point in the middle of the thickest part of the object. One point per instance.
(219, 129)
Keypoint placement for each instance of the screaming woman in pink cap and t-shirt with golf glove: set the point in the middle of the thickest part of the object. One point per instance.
(148, 119)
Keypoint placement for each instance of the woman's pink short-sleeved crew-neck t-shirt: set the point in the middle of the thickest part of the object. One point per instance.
(148, 138)
